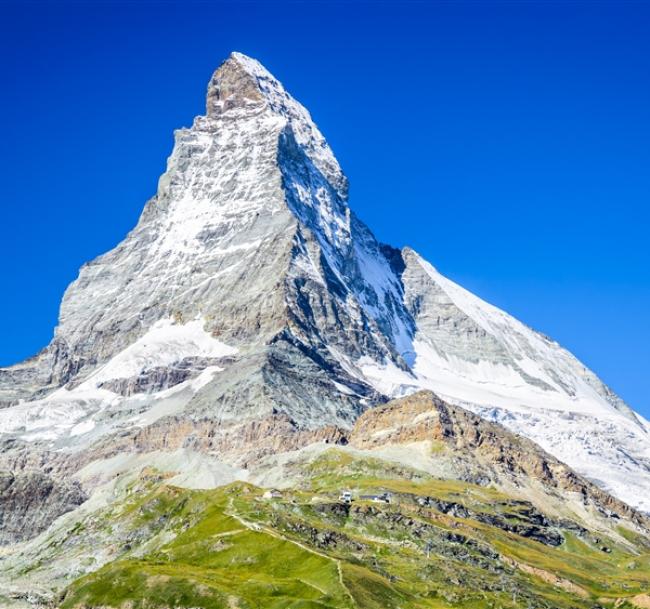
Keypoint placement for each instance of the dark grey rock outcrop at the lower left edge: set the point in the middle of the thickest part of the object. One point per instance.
(30, 502)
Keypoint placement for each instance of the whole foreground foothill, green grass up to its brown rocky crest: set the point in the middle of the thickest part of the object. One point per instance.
(477, 517)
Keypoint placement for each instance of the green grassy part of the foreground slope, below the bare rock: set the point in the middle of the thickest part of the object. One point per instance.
(230, 548)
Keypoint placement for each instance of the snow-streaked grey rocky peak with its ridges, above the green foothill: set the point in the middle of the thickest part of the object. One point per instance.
(250, 312)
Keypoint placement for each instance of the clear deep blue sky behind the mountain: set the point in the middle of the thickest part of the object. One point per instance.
(509, 143)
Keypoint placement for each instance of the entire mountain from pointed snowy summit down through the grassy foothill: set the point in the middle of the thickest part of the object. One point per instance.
(247, 324)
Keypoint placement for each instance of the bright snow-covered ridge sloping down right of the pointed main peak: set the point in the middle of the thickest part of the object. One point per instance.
(475, 355)
